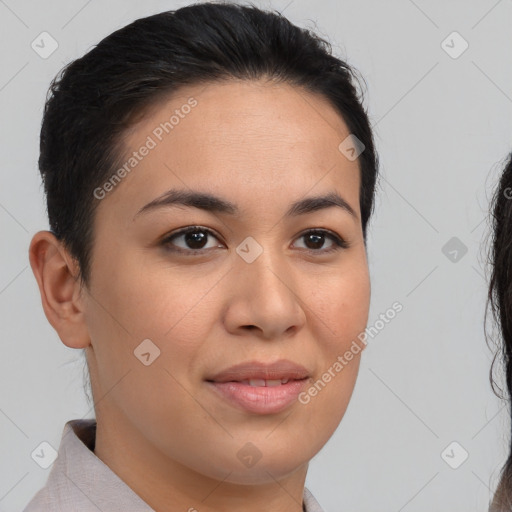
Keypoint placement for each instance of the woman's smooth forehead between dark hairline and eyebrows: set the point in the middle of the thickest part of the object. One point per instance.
(252, 138)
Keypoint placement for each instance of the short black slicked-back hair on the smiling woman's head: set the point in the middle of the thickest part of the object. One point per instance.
(94, 99)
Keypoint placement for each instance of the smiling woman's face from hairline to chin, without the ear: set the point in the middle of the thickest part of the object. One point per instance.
(250, 282)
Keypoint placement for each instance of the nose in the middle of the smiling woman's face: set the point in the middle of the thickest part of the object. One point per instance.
(264, 298)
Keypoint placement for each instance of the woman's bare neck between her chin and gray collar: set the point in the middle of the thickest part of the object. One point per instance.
(167, 485)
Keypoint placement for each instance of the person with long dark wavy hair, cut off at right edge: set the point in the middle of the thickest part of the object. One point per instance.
(500, 300)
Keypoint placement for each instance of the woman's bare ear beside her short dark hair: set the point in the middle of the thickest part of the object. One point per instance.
(56, 273)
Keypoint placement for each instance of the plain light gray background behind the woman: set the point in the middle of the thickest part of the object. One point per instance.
(443, 127)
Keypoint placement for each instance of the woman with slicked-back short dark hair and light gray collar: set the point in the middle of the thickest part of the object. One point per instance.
(210, 174)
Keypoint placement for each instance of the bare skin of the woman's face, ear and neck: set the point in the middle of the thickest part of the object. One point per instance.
(160, 427)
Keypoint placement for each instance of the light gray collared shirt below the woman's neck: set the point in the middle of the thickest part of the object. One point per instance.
(81, 482)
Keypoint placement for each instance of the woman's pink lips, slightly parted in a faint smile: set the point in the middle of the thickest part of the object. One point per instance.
(229, 385)
